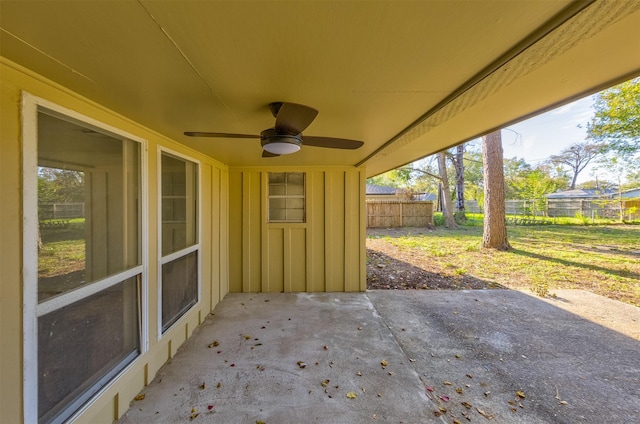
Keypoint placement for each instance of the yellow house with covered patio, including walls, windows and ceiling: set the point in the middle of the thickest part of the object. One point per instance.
(172, 223)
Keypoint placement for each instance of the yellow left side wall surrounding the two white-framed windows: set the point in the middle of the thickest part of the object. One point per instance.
(214, 245)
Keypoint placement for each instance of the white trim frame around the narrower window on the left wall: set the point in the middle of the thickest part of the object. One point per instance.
(175, 255)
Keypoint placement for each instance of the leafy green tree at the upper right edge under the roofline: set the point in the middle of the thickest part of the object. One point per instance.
(617, 117)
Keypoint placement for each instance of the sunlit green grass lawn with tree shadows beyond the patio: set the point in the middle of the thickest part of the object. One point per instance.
(601, 259)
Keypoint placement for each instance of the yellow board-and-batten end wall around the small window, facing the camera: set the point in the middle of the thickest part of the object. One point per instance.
(326, 253)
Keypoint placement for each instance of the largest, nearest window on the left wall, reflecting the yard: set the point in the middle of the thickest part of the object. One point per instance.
(87, 292)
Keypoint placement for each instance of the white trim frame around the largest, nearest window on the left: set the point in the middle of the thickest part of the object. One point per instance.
(31, 105)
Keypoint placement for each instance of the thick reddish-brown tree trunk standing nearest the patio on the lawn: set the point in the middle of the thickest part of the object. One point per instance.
(495, 227)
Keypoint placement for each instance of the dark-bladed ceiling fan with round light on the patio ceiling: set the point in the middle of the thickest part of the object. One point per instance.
(286, 137)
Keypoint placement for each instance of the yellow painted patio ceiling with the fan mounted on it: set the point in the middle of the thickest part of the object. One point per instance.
(407, 78)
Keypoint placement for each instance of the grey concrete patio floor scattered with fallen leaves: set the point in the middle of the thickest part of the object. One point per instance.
(498, 356)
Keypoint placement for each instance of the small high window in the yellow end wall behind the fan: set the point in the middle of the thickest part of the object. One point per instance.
(286, 197)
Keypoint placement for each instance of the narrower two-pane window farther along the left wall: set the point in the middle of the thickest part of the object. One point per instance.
(180, 248)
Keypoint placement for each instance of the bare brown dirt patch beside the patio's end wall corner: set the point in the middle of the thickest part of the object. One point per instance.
(392, 268)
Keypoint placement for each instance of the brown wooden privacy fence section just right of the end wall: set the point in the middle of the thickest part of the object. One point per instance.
(399, 213)
